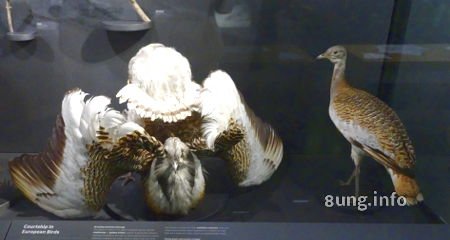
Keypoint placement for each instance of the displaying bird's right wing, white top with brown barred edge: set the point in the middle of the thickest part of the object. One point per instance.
(251, 147)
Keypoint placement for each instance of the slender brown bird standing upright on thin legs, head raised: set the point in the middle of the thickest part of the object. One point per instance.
(372, 128)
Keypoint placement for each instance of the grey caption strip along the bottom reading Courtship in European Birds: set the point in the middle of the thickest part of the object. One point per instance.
(49, 230)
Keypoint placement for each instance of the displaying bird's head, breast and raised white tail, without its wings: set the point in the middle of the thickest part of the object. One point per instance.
(163, 99)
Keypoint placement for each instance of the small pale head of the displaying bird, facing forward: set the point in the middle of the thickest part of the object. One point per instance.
(177, 153)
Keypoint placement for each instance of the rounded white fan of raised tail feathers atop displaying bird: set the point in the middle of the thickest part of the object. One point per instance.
(160, 85)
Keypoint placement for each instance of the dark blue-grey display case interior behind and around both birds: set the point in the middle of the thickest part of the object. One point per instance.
(397, 51)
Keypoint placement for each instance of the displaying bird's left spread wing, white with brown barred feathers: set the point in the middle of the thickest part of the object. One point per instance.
(90, 147)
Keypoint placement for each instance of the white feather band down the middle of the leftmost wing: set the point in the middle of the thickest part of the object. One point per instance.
(68, 200)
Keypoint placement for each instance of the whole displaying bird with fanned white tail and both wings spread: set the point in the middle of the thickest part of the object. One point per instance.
(92, 143)
